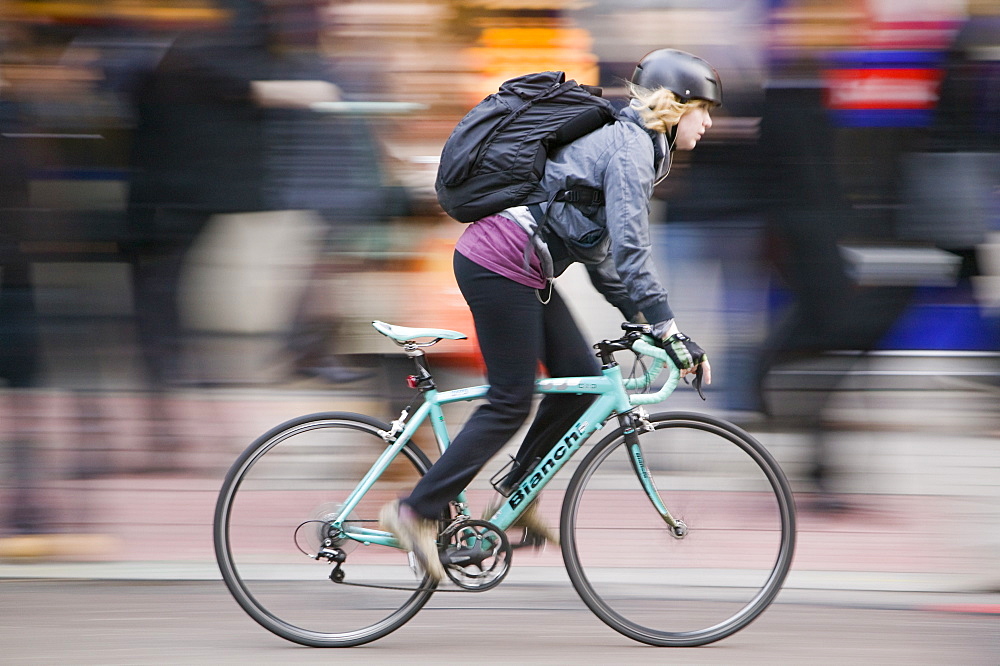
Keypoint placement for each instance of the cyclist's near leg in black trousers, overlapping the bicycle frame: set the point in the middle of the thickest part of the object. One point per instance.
(509, 327)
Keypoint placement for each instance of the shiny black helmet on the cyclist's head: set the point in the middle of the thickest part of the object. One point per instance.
(687, 76)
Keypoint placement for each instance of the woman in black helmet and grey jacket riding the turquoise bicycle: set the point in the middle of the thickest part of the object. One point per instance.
(519, 315)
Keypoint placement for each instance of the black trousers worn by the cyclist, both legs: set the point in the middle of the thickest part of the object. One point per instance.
(516, 332)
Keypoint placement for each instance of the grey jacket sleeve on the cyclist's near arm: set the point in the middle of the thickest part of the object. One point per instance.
(628, 186)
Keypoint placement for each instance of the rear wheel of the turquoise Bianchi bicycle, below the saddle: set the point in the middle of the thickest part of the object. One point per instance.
(272, 506)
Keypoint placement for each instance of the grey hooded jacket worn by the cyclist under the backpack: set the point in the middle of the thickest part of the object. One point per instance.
(612, 240)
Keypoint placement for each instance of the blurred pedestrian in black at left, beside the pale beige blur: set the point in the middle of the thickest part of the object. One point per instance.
(197, 151)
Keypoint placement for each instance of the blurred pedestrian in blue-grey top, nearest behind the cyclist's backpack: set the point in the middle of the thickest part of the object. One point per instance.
(329, 163)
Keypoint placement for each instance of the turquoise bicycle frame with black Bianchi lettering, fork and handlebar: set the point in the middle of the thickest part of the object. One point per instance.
(612, 398)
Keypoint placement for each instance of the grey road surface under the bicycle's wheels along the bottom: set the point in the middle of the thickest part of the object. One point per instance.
(196, 622)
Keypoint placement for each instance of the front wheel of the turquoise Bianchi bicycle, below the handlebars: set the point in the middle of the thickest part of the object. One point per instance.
(694, 585)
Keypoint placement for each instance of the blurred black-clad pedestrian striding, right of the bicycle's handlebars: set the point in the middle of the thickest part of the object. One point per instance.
(809, 219)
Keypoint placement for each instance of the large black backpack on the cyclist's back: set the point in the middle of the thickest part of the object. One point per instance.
(495, 156)
